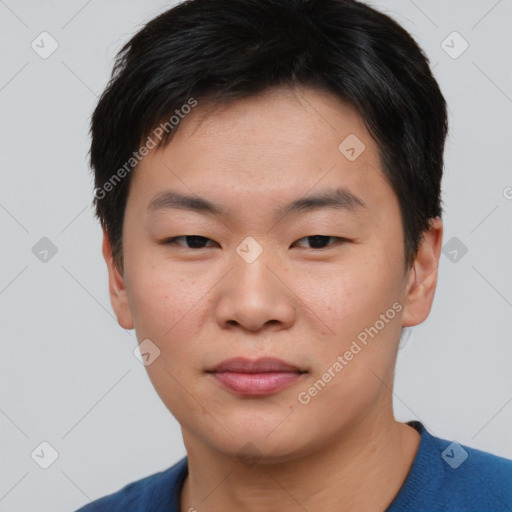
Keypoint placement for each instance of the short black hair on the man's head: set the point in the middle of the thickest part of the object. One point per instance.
(215, 51)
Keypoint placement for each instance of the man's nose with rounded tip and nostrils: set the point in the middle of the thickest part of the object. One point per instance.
(255, 295)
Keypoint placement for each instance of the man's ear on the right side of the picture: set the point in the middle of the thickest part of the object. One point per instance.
(422, 278)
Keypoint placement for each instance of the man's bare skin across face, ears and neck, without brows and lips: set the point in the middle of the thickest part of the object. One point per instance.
(343, 450)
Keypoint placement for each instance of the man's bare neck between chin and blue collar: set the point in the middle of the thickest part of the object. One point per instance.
(362, 470)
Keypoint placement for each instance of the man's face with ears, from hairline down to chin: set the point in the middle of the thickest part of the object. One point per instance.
(299, 257)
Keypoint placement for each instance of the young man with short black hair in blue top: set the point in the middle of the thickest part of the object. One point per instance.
(268, 177)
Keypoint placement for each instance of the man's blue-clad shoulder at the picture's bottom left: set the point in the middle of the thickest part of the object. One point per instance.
(157, 490)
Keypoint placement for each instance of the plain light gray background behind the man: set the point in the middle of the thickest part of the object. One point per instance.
(67, 370)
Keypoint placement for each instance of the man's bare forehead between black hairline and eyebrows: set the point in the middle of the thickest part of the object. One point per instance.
(267, 149)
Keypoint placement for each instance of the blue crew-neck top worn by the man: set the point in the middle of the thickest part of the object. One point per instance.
(445, 476)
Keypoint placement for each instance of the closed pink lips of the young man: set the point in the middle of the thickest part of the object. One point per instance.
(255, 377)
